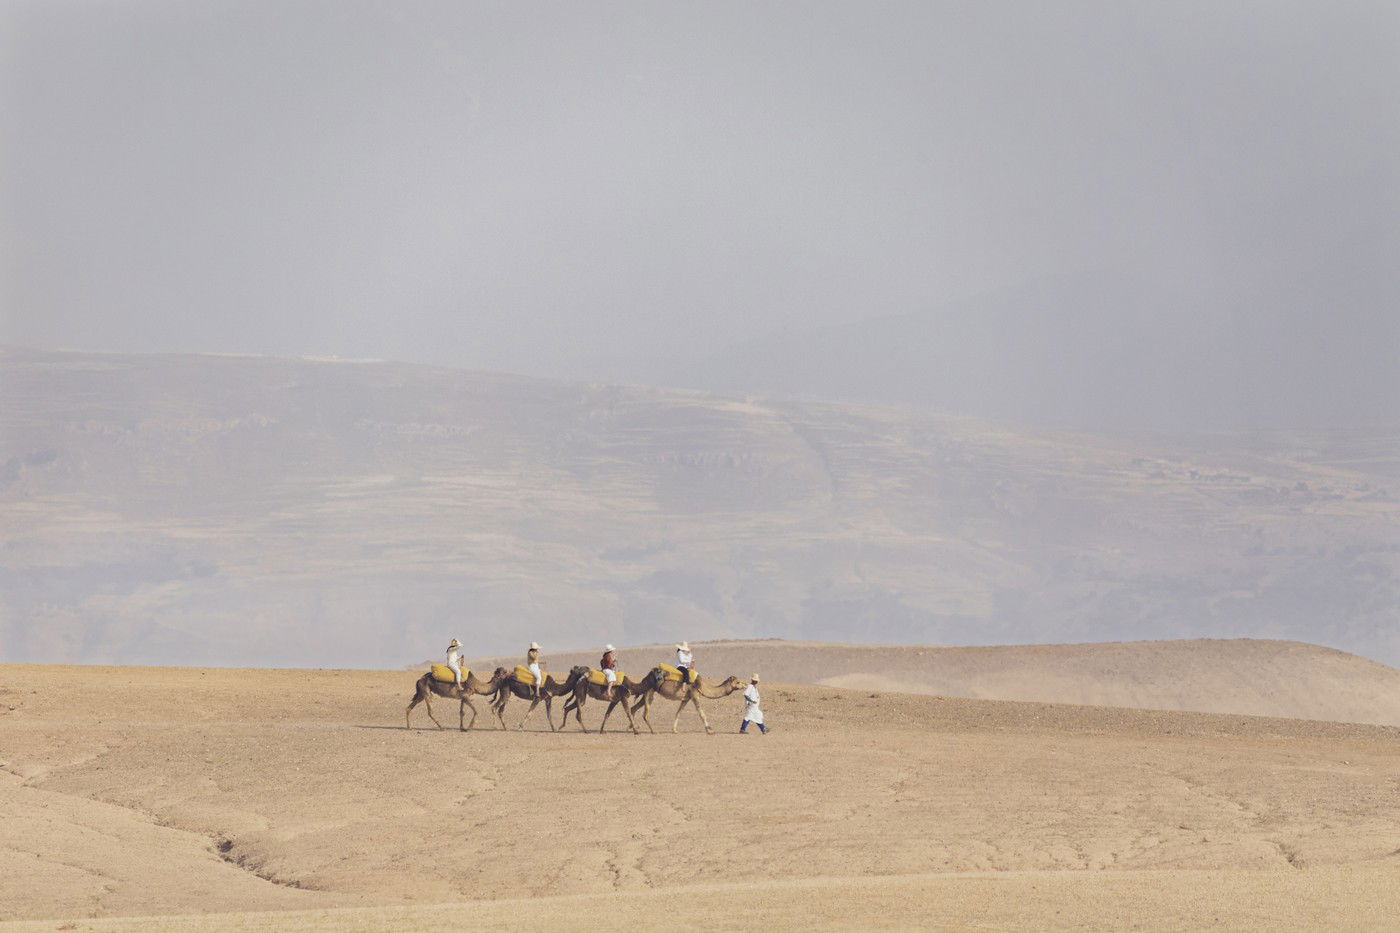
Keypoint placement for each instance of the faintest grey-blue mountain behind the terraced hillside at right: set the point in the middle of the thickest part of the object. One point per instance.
(1080, 352)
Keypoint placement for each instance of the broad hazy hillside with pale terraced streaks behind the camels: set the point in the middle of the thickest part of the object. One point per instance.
(250, 511)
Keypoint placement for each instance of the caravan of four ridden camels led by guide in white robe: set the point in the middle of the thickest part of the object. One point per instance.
(680, 683)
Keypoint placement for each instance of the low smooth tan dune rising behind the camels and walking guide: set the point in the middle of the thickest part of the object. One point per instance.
(1238, 676)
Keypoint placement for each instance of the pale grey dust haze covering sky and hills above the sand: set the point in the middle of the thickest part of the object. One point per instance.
(969, 323)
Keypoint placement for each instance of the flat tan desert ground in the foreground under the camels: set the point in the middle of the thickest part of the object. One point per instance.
(269, 799)
